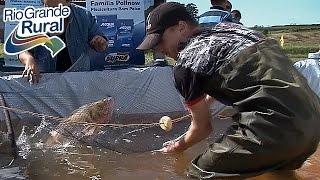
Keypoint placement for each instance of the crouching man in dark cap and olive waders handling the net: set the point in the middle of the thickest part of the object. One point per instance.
(277, 112)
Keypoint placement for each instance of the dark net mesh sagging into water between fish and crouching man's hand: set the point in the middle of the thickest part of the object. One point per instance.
(128, 139)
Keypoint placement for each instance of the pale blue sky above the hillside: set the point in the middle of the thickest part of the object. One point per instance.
(270, 12)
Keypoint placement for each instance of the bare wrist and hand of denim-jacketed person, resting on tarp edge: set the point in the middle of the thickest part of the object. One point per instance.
(31, 69)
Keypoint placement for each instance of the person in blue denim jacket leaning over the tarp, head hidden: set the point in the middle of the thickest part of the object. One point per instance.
(81, 32)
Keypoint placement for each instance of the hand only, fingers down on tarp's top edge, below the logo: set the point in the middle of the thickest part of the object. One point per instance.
(31, 71)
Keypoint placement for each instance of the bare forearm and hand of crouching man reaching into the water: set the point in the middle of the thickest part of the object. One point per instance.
(199, 129)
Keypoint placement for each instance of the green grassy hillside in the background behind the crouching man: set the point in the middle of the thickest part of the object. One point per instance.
(299, 40)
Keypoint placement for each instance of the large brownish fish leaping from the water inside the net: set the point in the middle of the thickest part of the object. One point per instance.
(99, 112)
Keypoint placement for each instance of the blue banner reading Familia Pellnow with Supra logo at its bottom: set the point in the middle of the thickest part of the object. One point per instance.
(123, 23)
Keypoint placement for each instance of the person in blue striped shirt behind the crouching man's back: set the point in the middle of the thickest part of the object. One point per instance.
(218, 13)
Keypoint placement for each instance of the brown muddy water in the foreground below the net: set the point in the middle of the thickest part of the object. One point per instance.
(85, 162)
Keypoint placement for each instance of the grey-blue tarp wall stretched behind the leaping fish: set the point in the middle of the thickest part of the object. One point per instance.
(135, 90)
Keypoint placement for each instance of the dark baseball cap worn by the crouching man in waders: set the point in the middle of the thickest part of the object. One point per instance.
(162, 17)
